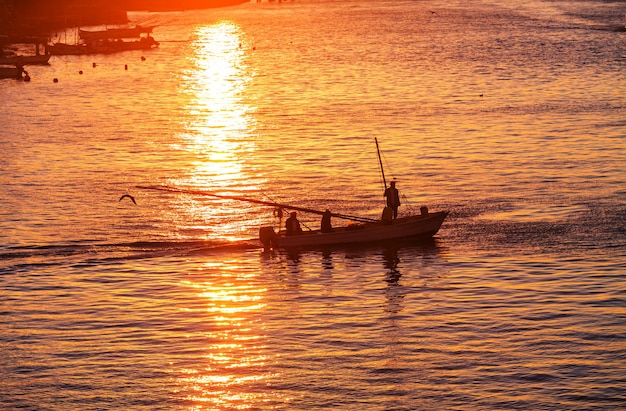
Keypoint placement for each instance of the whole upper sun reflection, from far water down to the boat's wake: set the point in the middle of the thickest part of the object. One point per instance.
(216, 133)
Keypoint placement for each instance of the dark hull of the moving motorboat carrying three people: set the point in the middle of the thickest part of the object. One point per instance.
(418, 227)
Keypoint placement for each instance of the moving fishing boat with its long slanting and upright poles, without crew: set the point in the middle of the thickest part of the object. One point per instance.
(362, 229)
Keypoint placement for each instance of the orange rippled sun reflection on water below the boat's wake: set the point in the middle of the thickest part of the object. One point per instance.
(232, 370)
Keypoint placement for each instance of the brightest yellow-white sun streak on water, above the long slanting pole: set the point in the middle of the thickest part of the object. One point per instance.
(217, 126)
